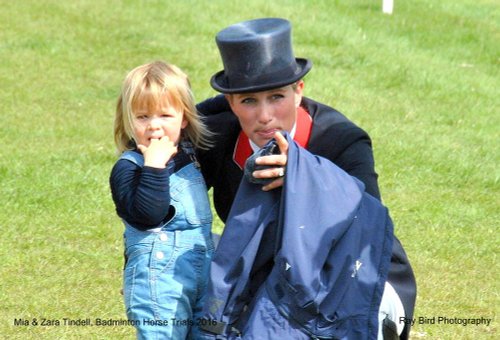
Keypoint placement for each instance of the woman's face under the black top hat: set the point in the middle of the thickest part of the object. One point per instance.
(261, 114)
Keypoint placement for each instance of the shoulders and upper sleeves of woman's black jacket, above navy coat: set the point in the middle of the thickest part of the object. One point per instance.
(333, 136)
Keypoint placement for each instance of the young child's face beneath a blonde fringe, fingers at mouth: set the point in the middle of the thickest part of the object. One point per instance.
(154, 123)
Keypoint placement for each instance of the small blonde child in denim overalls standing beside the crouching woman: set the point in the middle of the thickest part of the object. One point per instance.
(161, 196)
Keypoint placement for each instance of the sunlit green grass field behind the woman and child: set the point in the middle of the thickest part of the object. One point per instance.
(424, 82)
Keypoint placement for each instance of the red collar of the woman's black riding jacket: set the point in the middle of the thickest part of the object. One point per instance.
(243, 150)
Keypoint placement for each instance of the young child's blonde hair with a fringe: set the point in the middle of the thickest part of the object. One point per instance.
(145, 86)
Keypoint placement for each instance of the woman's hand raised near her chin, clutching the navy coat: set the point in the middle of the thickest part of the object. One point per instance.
(278, 161)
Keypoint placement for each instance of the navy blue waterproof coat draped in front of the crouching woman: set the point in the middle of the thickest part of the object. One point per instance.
(307, 261)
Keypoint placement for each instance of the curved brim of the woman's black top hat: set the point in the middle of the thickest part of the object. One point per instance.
(219, 80)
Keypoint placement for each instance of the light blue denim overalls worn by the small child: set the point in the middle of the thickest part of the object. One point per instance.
(167, 267)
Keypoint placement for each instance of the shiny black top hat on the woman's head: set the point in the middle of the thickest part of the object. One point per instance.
(257, 55)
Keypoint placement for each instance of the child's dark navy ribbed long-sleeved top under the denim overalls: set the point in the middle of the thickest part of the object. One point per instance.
(141, 195)
